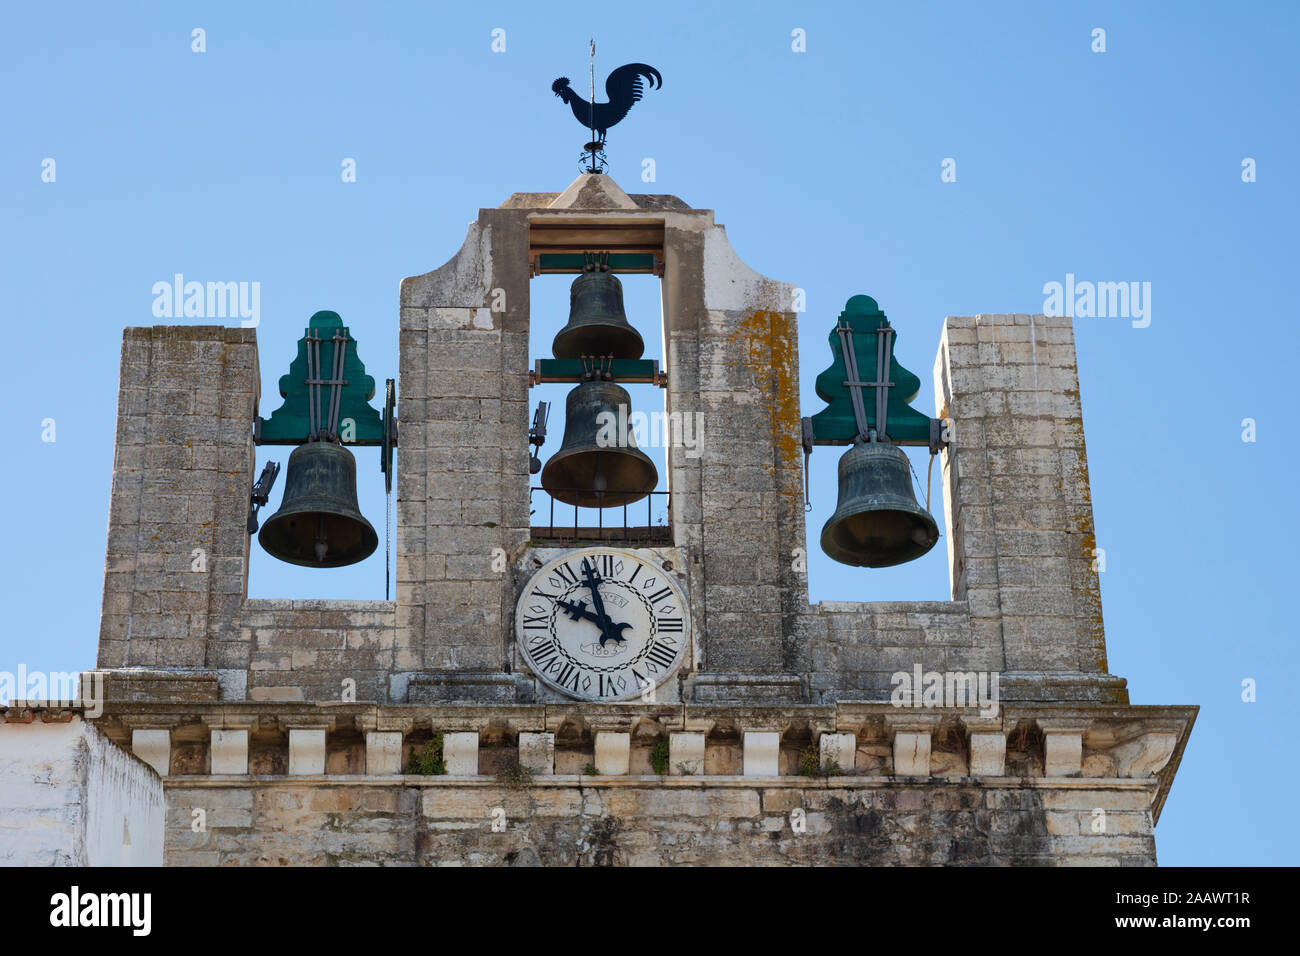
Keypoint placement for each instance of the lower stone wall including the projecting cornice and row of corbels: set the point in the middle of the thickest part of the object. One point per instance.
(298, 784)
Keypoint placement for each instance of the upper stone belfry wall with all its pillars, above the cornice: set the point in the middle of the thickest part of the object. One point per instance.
(1026, 602)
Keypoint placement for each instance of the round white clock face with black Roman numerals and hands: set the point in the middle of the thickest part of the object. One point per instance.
(603, 625)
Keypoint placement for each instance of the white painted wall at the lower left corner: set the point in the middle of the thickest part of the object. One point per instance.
(71, 798)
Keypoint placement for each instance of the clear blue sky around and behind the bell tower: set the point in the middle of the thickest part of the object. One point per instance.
(826, 166)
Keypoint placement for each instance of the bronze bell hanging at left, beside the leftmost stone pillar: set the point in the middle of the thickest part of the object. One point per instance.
(319, 524)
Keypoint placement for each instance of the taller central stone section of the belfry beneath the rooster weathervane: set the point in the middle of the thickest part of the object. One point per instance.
(730, 362)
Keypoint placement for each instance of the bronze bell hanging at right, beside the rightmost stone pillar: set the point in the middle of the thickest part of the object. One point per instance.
(878, 522)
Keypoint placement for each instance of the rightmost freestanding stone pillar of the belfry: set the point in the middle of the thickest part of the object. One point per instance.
(1016, 491)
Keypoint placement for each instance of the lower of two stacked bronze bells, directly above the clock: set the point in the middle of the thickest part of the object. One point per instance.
(599, 464)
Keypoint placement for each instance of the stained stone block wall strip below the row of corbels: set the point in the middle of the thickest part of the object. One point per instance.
(653, 823)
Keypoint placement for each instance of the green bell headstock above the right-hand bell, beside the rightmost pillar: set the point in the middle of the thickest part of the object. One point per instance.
(866, 390)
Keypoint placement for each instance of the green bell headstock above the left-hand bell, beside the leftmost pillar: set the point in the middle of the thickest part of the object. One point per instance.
(326, 388)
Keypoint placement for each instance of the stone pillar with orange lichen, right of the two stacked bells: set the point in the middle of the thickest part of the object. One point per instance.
(733, 361)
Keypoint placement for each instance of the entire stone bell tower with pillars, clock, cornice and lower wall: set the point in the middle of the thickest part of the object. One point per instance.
(773, 732)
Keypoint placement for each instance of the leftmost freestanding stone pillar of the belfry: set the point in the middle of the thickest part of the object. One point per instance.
(177, 565)
